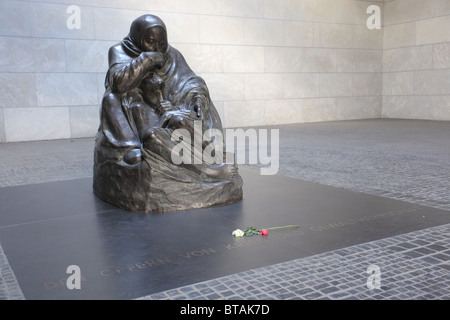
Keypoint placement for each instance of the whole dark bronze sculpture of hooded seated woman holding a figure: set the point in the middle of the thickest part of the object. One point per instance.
(150, 93)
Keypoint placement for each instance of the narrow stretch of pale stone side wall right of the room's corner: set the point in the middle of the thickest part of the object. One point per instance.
(416, 59)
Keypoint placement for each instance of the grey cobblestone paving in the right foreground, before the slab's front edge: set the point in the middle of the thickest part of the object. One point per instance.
(412, 266)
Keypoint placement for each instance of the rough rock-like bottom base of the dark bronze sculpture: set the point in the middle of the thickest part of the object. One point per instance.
(143, 189)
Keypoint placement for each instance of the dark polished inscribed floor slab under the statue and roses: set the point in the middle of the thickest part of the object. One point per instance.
(44, 228)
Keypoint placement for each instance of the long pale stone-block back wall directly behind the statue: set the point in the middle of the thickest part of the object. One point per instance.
(266, 62)
